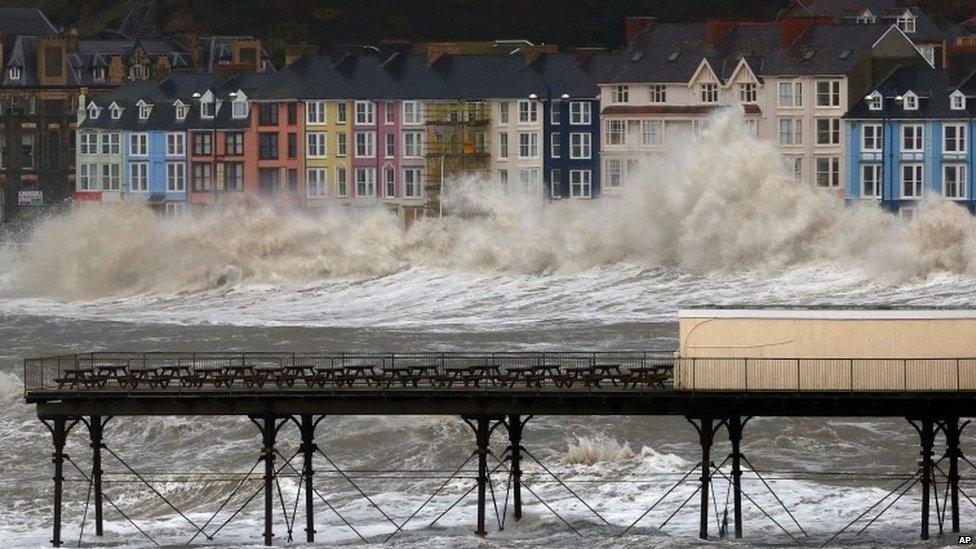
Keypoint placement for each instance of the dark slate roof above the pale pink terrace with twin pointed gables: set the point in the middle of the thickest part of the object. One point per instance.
(673, 52)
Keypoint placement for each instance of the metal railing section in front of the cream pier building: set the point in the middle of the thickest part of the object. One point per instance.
(826, 374)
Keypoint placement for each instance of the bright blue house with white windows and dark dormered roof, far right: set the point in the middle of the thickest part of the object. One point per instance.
(911, 137)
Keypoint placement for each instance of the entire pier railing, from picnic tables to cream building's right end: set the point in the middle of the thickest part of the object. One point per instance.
(188, 372)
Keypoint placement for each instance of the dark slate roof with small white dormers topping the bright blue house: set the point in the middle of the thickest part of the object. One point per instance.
(930, 85)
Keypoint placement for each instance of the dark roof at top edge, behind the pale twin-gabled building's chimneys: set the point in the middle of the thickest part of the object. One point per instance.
(886, 11)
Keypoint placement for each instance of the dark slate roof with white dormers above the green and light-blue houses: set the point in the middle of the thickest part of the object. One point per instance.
(163, 96)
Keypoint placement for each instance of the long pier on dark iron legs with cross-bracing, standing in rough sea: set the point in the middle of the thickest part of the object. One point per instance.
(496, 394)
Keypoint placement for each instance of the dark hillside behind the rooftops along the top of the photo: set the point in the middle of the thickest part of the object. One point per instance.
(324, 22)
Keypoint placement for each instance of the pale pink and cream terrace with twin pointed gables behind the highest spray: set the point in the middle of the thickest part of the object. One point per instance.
(793, 80)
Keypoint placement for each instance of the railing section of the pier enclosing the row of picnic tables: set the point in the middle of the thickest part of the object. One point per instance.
(189, 372)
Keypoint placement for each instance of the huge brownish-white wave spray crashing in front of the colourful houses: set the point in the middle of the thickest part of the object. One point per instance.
(725, 202)
